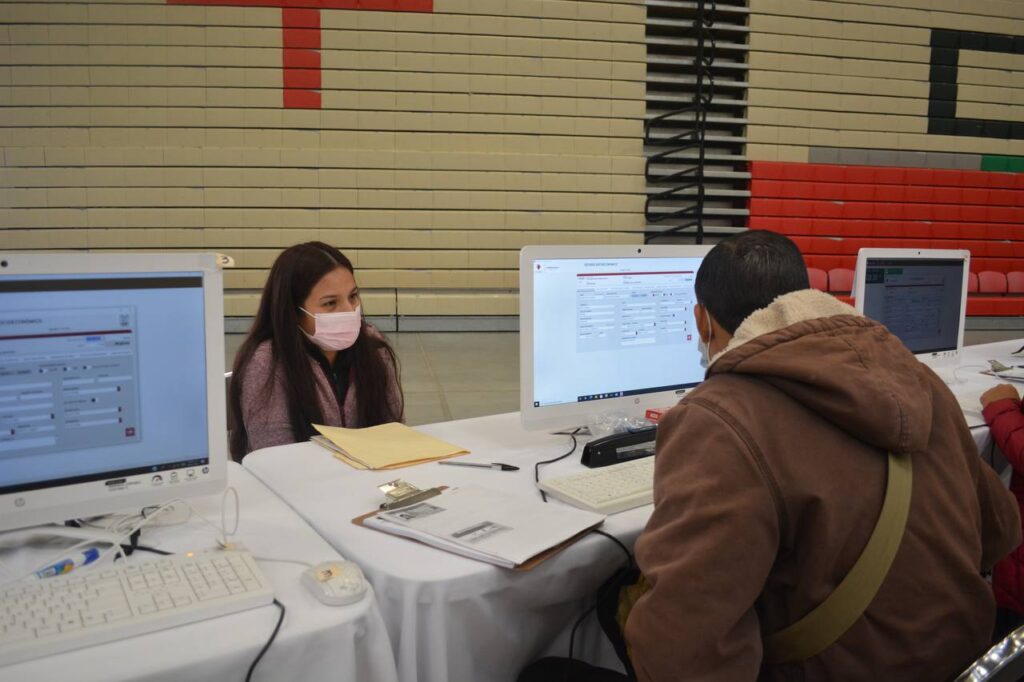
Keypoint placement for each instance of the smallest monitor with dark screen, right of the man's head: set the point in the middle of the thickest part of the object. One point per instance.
(919, 294)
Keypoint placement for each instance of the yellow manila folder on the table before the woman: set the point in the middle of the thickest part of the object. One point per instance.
(385, 447)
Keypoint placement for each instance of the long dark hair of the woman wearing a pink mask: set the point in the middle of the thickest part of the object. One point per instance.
(293, 276)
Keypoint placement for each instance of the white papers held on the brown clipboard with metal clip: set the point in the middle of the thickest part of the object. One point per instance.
(500, 529)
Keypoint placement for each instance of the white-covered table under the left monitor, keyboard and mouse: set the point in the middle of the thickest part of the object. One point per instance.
(317, 643)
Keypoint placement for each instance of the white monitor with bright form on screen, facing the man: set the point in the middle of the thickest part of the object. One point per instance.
(606, 329)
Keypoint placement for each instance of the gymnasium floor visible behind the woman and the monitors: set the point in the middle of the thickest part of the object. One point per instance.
(458, 375)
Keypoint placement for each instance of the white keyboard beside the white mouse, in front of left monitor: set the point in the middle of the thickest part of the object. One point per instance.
(44, 617)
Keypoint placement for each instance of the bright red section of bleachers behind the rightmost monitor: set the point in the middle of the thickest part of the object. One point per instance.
(833, 211)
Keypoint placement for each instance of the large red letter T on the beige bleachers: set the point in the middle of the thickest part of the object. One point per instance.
(301, 57)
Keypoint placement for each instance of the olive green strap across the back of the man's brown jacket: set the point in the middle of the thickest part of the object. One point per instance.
(824, 626)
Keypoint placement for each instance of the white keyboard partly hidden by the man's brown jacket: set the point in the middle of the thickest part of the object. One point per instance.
(608, 490)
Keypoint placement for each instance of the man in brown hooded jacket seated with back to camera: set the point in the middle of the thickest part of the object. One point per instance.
(770, 481)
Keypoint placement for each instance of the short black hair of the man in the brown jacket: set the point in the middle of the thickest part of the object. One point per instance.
(747, 272)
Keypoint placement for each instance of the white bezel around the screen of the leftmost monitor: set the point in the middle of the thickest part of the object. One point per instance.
(104, 496)
